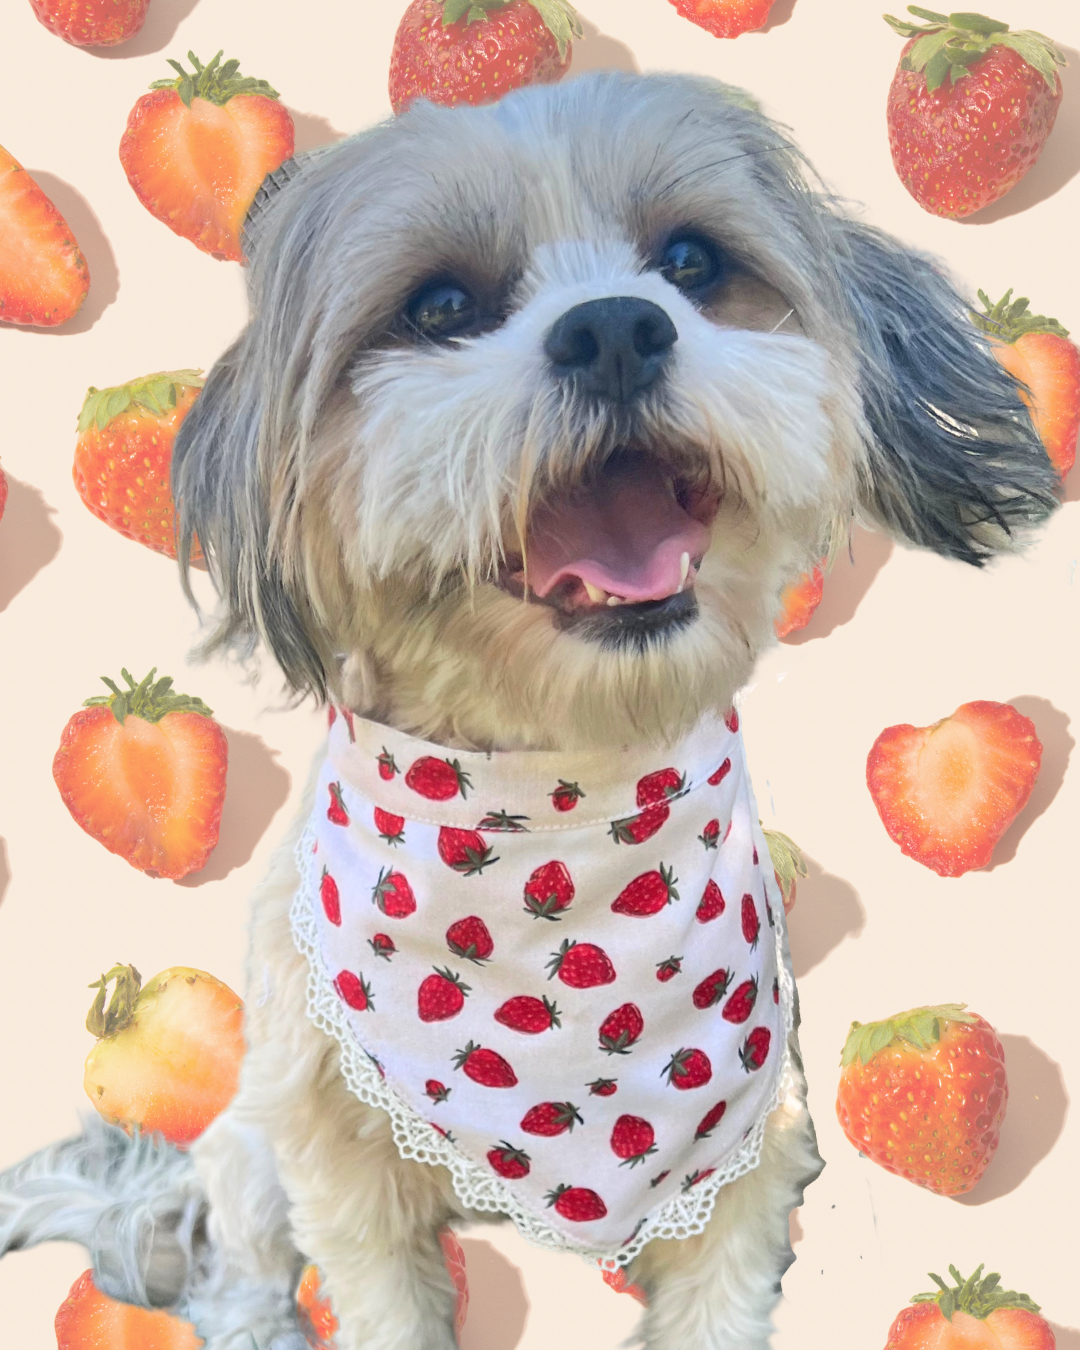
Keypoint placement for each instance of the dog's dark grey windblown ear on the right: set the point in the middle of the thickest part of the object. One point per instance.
(955, 462)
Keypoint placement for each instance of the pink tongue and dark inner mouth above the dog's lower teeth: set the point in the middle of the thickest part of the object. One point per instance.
(624, 535)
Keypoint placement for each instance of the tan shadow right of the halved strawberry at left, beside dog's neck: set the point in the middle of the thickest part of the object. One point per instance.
(257, 789)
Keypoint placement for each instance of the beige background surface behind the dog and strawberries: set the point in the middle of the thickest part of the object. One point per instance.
(900, 638)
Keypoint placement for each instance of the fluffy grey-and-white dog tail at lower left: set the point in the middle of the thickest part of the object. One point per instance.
(136, 1204)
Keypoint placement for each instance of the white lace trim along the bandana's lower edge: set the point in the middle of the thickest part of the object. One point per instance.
(475, 1186)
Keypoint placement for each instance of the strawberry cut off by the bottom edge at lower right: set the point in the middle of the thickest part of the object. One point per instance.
(973, 1316)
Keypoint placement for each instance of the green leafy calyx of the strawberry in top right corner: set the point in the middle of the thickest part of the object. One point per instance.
(948, 44)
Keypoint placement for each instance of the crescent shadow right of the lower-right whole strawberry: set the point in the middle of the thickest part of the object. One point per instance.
(1033, 1123)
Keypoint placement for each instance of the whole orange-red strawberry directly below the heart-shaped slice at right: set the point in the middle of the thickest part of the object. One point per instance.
(924, 1096)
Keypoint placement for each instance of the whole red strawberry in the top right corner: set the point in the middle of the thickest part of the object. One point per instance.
(970, 109)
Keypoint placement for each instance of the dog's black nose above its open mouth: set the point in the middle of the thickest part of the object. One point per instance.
(614, 348)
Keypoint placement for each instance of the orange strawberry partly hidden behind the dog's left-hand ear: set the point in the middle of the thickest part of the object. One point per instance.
(125, 452)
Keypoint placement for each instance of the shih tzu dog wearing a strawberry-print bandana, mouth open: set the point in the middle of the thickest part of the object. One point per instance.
(541, 407)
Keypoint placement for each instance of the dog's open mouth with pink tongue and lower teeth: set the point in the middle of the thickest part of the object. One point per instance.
(630, 539)
